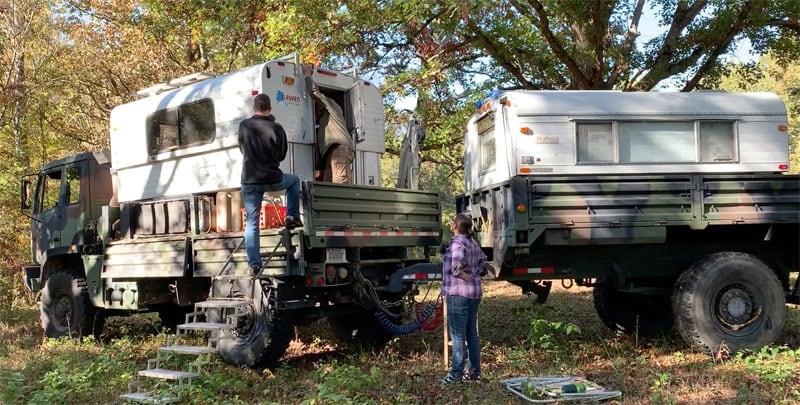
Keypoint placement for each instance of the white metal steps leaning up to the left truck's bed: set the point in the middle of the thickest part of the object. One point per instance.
(174, 368)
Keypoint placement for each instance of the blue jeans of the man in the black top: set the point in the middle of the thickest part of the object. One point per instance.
(252, 196)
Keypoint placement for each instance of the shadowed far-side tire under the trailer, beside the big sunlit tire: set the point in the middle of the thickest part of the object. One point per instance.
(624, 311)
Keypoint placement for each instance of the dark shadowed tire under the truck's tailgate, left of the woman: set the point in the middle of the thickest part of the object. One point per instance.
(360, 329)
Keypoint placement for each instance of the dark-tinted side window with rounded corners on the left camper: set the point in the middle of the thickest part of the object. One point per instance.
(179, 127)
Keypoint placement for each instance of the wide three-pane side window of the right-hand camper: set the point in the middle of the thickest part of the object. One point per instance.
(656, 142)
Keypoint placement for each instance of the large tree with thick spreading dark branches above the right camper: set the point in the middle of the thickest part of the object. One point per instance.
(447, 53)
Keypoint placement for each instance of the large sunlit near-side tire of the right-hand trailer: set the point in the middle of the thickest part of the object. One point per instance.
(729, 299)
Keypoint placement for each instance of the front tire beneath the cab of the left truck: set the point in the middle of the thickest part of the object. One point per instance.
(66, 309)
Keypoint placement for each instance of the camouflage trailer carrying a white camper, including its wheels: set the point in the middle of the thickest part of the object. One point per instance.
(674, 206)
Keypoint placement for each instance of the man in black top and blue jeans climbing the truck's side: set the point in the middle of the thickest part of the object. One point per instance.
(263, 144)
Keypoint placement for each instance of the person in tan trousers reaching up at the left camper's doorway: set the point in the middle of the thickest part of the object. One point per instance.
(333, 140)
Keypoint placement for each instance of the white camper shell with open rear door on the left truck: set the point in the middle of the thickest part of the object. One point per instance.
(184, 140)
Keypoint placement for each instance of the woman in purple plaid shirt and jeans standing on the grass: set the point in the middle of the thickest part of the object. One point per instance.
(461, 286)
